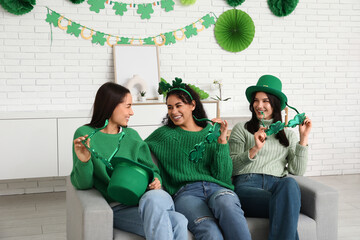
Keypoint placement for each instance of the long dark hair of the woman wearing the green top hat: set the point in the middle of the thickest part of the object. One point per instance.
(253, 124)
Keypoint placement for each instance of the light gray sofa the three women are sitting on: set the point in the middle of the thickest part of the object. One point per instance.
(89, 216)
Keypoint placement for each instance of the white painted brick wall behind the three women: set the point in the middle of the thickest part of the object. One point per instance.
(315, 51)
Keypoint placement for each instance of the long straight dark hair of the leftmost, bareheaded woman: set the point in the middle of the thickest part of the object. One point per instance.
(107, 98)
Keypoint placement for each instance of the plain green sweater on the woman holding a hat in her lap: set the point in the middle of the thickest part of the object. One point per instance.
(93, 173)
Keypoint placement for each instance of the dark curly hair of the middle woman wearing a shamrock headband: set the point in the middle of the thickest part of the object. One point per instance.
(198, 112)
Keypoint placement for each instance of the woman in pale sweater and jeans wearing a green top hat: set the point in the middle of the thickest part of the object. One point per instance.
(262, 161)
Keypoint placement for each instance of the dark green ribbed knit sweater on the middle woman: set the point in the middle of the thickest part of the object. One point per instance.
(172, 146)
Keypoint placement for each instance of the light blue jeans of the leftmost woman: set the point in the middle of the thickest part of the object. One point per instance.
(155, 218)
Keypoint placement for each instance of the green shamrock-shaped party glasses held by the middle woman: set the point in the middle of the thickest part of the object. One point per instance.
(214, 132)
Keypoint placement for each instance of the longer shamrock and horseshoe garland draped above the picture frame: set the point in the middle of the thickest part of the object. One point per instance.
(97, 37)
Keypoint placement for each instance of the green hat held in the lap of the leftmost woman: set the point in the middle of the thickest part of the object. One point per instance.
(129, 180)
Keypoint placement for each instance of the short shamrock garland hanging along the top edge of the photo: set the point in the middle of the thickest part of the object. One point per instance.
(144, 9)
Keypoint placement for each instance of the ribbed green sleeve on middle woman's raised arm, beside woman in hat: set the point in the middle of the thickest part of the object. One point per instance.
(221, 168)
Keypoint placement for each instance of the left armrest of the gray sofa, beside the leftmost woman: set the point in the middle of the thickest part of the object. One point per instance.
(89, 216)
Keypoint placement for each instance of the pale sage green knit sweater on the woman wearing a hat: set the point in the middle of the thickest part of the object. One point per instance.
(273, 158)
